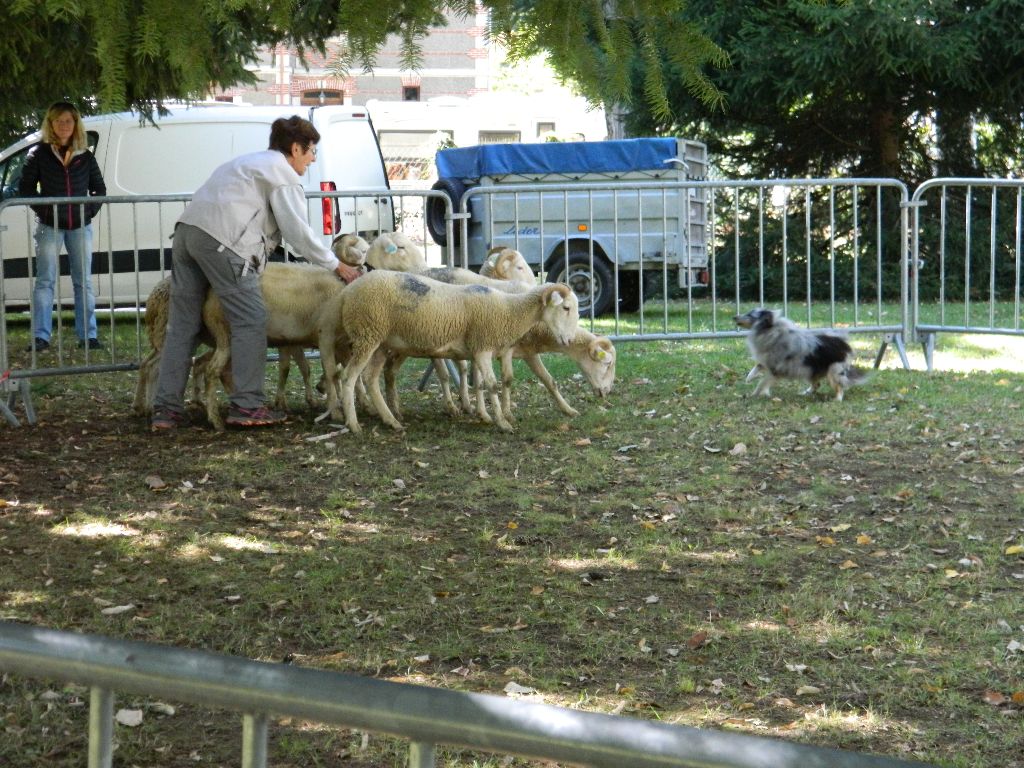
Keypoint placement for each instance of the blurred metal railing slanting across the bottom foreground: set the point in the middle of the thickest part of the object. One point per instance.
(424, 716)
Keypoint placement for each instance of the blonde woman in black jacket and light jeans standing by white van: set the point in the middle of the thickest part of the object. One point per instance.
(62, 166)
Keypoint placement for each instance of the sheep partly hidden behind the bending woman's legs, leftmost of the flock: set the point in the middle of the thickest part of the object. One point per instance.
(293, 294)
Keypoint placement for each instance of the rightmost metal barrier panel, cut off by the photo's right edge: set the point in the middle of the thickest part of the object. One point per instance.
(967, 243)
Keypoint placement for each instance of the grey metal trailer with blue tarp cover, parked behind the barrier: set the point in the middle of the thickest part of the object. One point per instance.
(610, 219)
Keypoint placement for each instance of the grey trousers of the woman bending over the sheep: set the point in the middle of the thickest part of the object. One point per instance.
(200, 263)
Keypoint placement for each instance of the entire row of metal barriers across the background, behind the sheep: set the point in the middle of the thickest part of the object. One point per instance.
(669, 261)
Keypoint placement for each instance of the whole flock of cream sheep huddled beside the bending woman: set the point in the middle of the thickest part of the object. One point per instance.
(400, 310)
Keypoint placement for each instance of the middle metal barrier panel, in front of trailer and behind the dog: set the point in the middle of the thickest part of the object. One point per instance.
(833, 252)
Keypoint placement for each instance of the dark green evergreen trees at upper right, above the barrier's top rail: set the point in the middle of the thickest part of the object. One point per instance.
(892, 90)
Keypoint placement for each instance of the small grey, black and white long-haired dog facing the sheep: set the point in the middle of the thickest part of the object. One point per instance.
(784, 351)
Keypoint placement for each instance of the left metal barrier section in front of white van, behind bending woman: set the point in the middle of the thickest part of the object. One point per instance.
(132, 253)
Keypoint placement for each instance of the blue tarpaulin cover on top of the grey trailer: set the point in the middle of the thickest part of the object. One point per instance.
(556, 157)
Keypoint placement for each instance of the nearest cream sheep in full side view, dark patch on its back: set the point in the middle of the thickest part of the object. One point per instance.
(414, 316)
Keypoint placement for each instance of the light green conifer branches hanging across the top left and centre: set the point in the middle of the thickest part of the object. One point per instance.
(116, 55)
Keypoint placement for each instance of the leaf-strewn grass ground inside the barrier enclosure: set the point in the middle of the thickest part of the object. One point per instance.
(847, 575)
